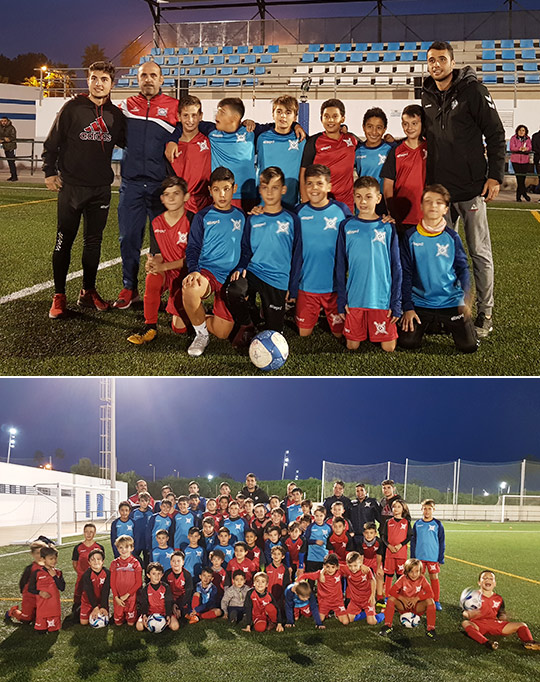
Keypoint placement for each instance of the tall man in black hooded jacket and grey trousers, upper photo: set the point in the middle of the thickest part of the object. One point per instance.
(459, 114)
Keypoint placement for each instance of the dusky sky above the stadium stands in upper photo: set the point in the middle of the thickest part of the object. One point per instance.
(63, 28)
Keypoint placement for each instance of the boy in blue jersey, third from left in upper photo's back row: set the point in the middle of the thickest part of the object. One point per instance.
(281, 147)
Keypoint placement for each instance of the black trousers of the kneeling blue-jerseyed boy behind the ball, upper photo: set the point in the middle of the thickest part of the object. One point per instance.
(244, 310)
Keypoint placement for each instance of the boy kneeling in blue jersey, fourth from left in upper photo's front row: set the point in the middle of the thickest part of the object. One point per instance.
(320, 219)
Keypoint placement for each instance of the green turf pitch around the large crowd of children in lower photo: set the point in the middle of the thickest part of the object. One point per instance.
(207, 651)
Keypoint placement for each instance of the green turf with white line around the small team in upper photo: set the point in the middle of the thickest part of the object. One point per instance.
(92, 343)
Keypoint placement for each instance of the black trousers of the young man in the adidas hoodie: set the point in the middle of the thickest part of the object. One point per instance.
(74, 202)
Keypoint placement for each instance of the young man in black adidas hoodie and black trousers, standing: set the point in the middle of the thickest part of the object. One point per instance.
(77, 164)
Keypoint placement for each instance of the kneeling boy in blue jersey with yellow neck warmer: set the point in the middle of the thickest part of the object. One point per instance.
(436, 279)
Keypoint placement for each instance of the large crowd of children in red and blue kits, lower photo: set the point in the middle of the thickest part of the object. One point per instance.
(261, 563)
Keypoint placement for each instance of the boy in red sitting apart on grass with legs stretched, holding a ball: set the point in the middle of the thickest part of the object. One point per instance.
(490, 618)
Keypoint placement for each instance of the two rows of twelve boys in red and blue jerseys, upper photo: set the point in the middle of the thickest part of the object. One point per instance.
(258, 209)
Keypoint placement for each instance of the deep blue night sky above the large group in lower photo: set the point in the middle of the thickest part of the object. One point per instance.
(202, 426)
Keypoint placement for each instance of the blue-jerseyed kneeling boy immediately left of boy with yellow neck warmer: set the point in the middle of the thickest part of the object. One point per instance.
(369, 299)
